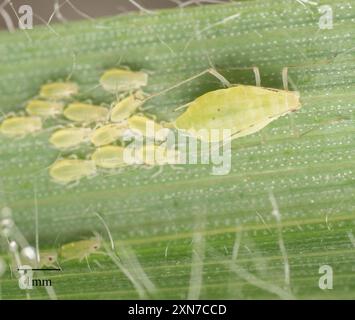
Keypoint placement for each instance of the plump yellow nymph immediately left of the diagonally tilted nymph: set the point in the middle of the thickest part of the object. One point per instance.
(86, 113)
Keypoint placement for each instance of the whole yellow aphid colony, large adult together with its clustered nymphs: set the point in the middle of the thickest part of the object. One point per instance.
(242, 109)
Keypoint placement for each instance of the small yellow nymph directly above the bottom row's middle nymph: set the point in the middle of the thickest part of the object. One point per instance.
(108, 133)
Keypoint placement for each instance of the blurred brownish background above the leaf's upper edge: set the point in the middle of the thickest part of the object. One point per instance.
(81, 9)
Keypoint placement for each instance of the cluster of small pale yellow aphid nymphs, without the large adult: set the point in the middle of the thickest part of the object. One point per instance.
(106, 129)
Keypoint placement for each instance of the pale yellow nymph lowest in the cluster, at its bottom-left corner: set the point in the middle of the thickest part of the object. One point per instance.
(65, 171)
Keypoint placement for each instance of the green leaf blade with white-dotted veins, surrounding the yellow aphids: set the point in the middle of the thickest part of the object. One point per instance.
(186, 233)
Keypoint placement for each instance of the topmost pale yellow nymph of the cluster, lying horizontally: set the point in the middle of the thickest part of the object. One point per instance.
(116, 80)
